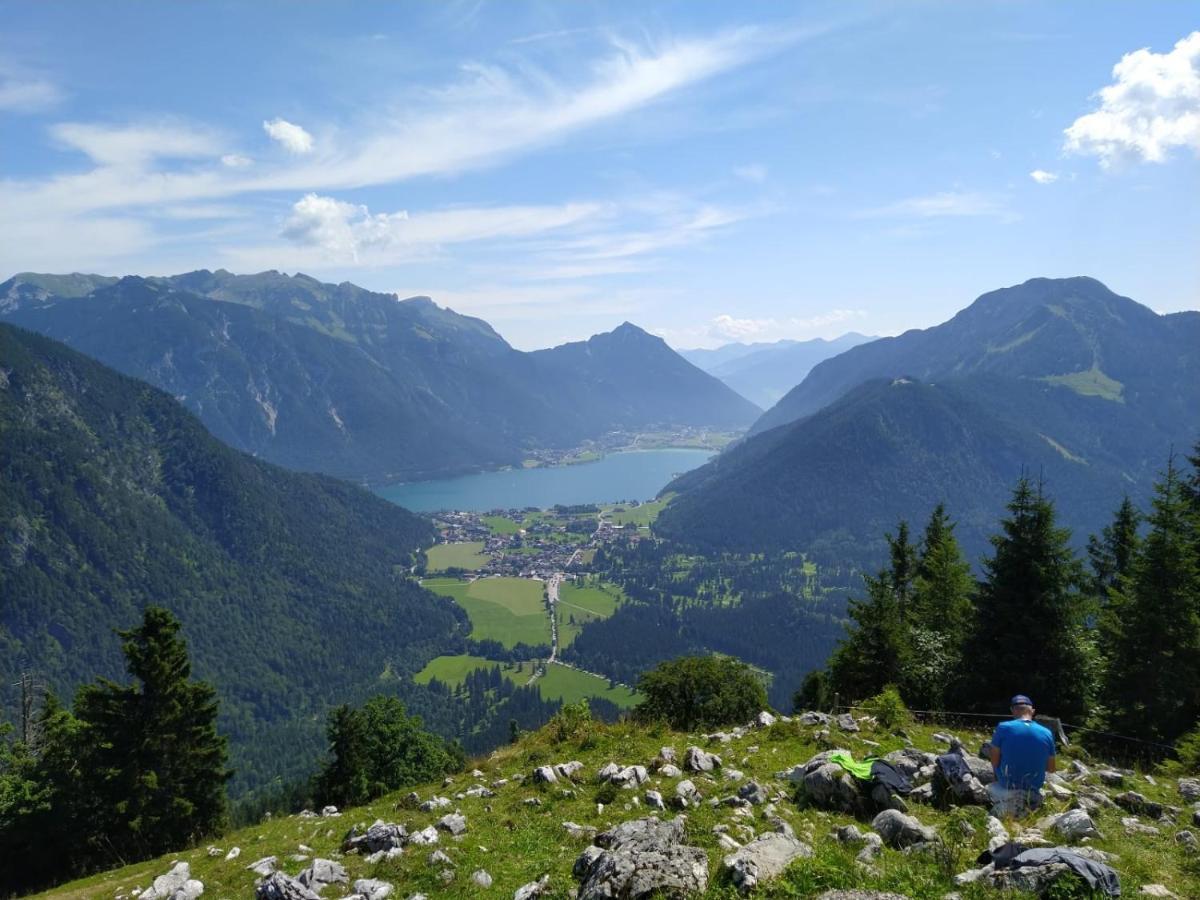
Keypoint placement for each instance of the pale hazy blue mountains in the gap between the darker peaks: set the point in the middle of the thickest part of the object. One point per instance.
(765, 373)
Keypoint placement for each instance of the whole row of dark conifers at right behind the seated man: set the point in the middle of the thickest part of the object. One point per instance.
(1112, 643)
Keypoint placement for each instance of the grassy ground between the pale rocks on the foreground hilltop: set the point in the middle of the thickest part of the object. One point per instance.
(518, 843)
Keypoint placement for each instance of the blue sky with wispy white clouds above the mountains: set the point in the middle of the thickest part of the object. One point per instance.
(711, 172)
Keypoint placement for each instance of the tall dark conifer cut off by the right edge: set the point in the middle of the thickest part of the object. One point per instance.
(1153, 686)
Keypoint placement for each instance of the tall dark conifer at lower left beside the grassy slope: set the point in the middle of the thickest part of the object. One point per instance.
(155, 766)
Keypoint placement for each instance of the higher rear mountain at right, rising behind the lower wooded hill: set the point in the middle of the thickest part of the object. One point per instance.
(1072, 333)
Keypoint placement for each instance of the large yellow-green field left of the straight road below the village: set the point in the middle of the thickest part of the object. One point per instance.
(506, 610)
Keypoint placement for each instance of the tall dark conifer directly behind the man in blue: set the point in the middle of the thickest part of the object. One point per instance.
(1029, 634)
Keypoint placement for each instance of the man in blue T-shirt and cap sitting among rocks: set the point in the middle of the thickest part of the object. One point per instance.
(1022, 754)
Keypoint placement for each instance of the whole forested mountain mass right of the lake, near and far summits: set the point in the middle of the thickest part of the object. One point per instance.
(1060, 380)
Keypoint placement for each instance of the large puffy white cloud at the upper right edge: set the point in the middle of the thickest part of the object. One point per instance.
(1151, 109)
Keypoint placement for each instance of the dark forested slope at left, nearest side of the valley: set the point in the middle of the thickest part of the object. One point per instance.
(115, 497)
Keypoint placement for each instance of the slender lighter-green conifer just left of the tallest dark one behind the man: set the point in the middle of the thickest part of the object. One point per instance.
(940, 616)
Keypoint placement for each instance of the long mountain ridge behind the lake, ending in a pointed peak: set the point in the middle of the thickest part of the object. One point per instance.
(353, 383)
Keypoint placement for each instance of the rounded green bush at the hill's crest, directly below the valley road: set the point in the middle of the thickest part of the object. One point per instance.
(701, 693)
